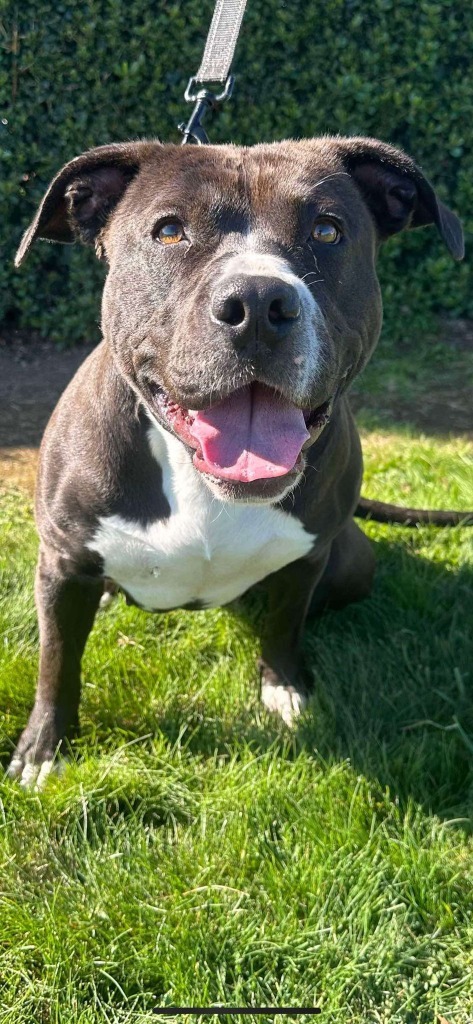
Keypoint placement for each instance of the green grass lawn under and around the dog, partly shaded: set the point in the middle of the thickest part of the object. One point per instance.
(195, 851)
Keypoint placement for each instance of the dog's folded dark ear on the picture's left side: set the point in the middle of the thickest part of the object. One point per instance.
(83, 195)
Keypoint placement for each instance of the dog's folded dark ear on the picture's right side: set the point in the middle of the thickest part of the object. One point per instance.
(398, 193)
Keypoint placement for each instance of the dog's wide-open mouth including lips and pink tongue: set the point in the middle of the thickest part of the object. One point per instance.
(255, 434)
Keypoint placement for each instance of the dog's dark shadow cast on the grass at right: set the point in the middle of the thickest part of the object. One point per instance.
(393, 689)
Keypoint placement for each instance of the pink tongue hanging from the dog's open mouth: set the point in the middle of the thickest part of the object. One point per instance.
(251, 436)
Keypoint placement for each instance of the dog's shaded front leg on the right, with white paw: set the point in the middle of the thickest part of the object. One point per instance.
(290, 592)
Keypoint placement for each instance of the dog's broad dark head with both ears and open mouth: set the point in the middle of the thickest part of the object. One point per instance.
(242, 296)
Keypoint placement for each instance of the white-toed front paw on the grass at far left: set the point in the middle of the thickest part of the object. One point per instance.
(36, 757)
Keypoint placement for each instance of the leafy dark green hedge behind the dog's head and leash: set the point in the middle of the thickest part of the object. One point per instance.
(81, 74)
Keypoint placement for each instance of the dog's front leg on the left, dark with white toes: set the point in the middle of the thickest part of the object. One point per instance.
(67, 605)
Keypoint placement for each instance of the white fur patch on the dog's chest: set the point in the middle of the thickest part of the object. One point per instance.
(206, 551)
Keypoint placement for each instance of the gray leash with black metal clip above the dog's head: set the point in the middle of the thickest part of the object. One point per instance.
(216, 67)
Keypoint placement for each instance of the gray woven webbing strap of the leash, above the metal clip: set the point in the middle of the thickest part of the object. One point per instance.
(222, 41)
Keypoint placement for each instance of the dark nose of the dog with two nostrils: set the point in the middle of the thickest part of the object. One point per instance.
(255, 309)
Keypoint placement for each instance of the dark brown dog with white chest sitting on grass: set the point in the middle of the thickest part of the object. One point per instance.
(207, 444)
